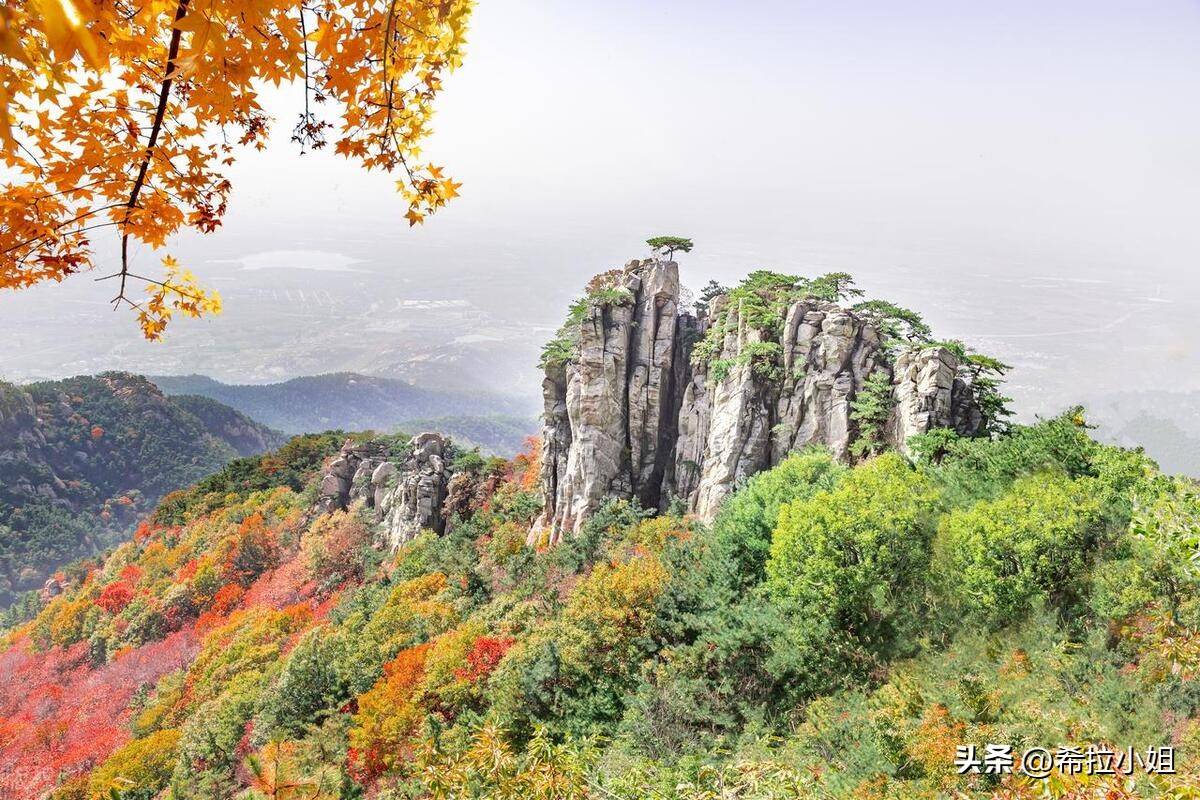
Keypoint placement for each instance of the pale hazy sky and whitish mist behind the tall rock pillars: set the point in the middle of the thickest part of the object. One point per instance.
(1027, 173)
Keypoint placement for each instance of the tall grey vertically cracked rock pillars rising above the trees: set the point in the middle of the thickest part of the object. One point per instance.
(634, 416)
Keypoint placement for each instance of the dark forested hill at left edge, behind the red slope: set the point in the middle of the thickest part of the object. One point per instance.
(83, 459)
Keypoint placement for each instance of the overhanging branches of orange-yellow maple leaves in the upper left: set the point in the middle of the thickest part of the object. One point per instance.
(123, 118)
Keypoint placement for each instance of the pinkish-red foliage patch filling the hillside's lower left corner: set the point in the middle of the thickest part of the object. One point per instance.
(59, 717)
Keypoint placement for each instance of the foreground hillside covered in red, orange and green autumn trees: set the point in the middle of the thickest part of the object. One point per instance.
(836, 633)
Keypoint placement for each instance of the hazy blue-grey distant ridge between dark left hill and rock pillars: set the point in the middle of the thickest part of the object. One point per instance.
(346, 401)
